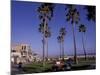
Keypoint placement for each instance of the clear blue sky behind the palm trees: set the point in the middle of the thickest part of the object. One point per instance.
(25, 23)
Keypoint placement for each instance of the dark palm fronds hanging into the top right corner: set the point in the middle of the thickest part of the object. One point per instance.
(91, 13)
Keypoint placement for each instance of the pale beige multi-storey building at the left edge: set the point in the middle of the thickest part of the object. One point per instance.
(21, 53)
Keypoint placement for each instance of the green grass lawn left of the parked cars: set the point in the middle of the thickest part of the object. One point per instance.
(36, 67)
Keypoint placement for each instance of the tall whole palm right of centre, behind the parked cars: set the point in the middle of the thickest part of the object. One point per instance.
(72, 15)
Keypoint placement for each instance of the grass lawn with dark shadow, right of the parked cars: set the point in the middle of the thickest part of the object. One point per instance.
(83, 64)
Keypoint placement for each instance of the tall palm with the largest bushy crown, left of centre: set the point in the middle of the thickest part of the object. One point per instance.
(45, 14)
